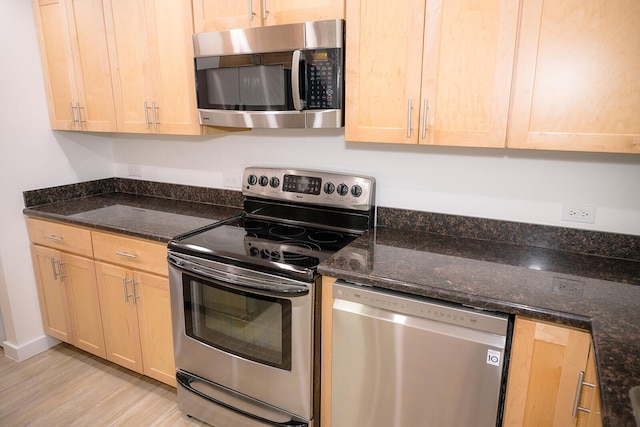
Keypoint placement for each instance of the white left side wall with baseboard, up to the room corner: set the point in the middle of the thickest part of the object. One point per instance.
(31, 156)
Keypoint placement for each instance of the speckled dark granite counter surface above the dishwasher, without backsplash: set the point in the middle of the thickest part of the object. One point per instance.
(587, 291)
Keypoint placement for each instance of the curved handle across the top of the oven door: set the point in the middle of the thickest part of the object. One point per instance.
(265, 284)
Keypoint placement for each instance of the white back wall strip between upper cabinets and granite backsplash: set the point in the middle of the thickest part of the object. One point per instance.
(520, 185)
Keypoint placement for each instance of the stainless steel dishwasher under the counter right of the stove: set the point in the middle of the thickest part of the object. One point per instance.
(402, 361)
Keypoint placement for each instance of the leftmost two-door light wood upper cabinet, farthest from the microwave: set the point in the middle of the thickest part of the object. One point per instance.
(73, 48)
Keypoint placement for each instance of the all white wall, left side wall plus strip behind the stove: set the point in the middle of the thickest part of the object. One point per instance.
(516, 185)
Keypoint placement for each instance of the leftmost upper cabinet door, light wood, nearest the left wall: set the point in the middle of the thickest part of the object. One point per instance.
(57, 60)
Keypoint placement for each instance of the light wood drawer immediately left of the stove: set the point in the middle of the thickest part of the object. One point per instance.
(130, 252)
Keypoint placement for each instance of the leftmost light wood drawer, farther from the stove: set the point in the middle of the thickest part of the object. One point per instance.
(63, 237)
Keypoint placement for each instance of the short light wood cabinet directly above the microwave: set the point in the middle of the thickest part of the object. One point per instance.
(218, 15)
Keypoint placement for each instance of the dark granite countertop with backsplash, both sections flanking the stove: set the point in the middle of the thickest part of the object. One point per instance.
(521, 269)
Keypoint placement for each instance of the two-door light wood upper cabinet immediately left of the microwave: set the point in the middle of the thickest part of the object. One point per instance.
(151, 56)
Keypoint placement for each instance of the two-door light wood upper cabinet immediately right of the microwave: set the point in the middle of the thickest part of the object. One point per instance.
(430, 72)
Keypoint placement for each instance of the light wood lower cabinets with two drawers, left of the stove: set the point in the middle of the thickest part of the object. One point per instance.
(109, 297)
